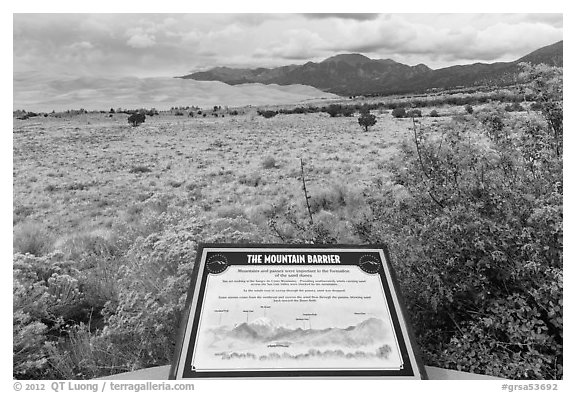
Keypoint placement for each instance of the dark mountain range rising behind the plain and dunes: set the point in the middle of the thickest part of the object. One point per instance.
(356, 74)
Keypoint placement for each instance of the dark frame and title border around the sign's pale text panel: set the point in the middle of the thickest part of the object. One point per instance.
(215, 259)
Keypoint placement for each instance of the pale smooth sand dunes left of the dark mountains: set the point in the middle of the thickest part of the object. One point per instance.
(33, 91)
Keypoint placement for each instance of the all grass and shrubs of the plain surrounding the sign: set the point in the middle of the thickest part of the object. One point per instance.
(107, 218)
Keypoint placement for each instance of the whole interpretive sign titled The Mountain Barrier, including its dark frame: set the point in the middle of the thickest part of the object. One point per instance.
(294, 311)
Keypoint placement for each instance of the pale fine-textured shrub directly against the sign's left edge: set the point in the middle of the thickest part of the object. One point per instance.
(152, 294)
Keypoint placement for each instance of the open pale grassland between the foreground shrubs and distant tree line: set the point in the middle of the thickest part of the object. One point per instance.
(80, 173)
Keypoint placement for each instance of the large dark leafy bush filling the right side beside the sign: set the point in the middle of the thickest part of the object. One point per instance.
(478, 239)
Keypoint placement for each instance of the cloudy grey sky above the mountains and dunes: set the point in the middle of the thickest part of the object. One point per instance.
(150, 45)
